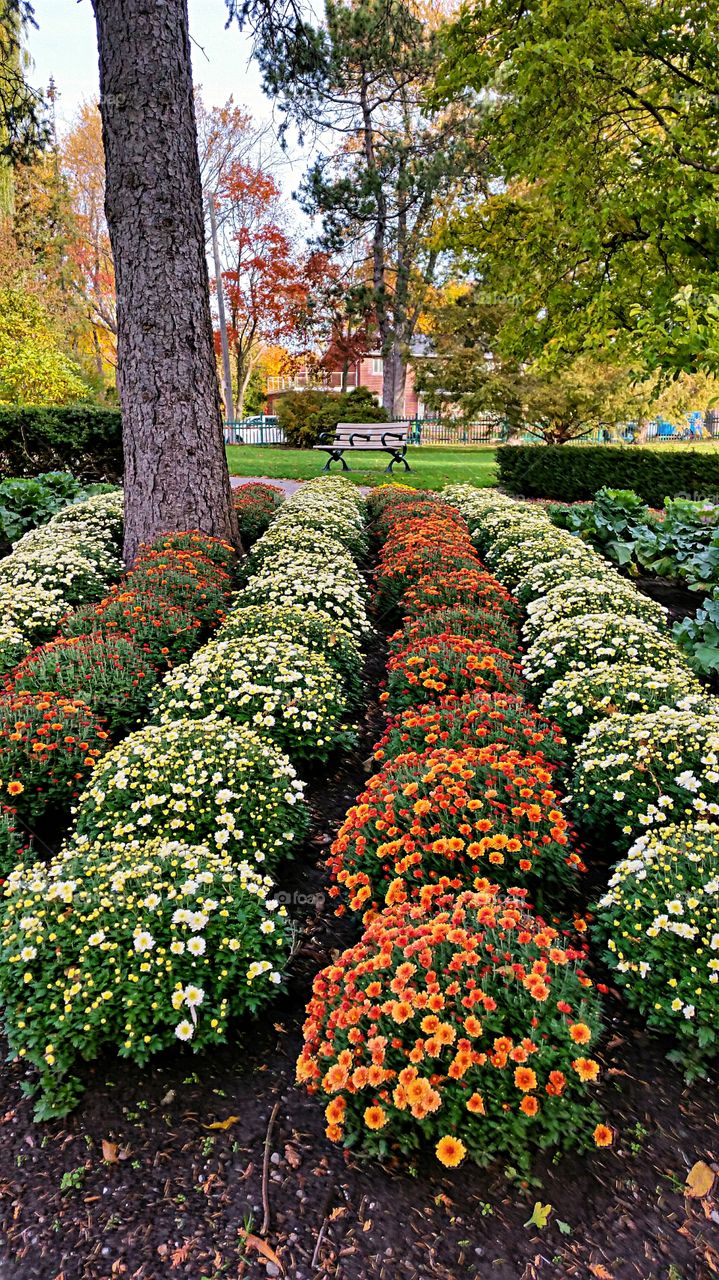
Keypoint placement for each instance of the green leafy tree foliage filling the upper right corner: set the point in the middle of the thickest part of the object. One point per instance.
(604, 221)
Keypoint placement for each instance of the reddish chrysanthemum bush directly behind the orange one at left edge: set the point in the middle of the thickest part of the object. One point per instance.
(109, 673)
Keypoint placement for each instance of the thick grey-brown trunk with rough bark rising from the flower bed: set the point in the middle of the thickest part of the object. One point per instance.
(176, 468)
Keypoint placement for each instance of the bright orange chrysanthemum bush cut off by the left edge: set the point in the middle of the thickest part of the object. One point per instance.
(49, 746)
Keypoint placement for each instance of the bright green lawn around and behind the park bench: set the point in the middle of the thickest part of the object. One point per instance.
(433, 467)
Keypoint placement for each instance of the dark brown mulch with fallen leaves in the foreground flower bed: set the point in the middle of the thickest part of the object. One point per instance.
(168, 1172)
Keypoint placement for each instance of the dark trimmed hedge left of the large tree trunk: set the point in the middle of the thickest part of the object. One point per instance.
(85, 440)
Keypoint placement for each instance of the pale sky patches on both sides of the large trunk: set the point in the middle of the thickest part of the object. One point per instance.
(65, 48)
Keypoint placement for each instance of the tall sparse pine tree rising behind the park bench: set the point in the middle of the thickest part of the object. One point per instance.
(386, 186)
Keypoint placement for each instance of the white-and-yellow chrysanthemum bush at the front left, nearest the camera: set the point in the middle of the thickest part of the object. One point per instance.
(132, 950)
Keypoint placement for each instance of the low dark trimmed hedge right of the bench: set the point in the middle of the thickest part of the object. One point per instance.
(575, 473)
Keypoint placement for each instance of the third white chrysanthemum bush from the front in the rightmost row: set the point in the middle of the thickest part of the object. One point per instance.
(581, 698)
